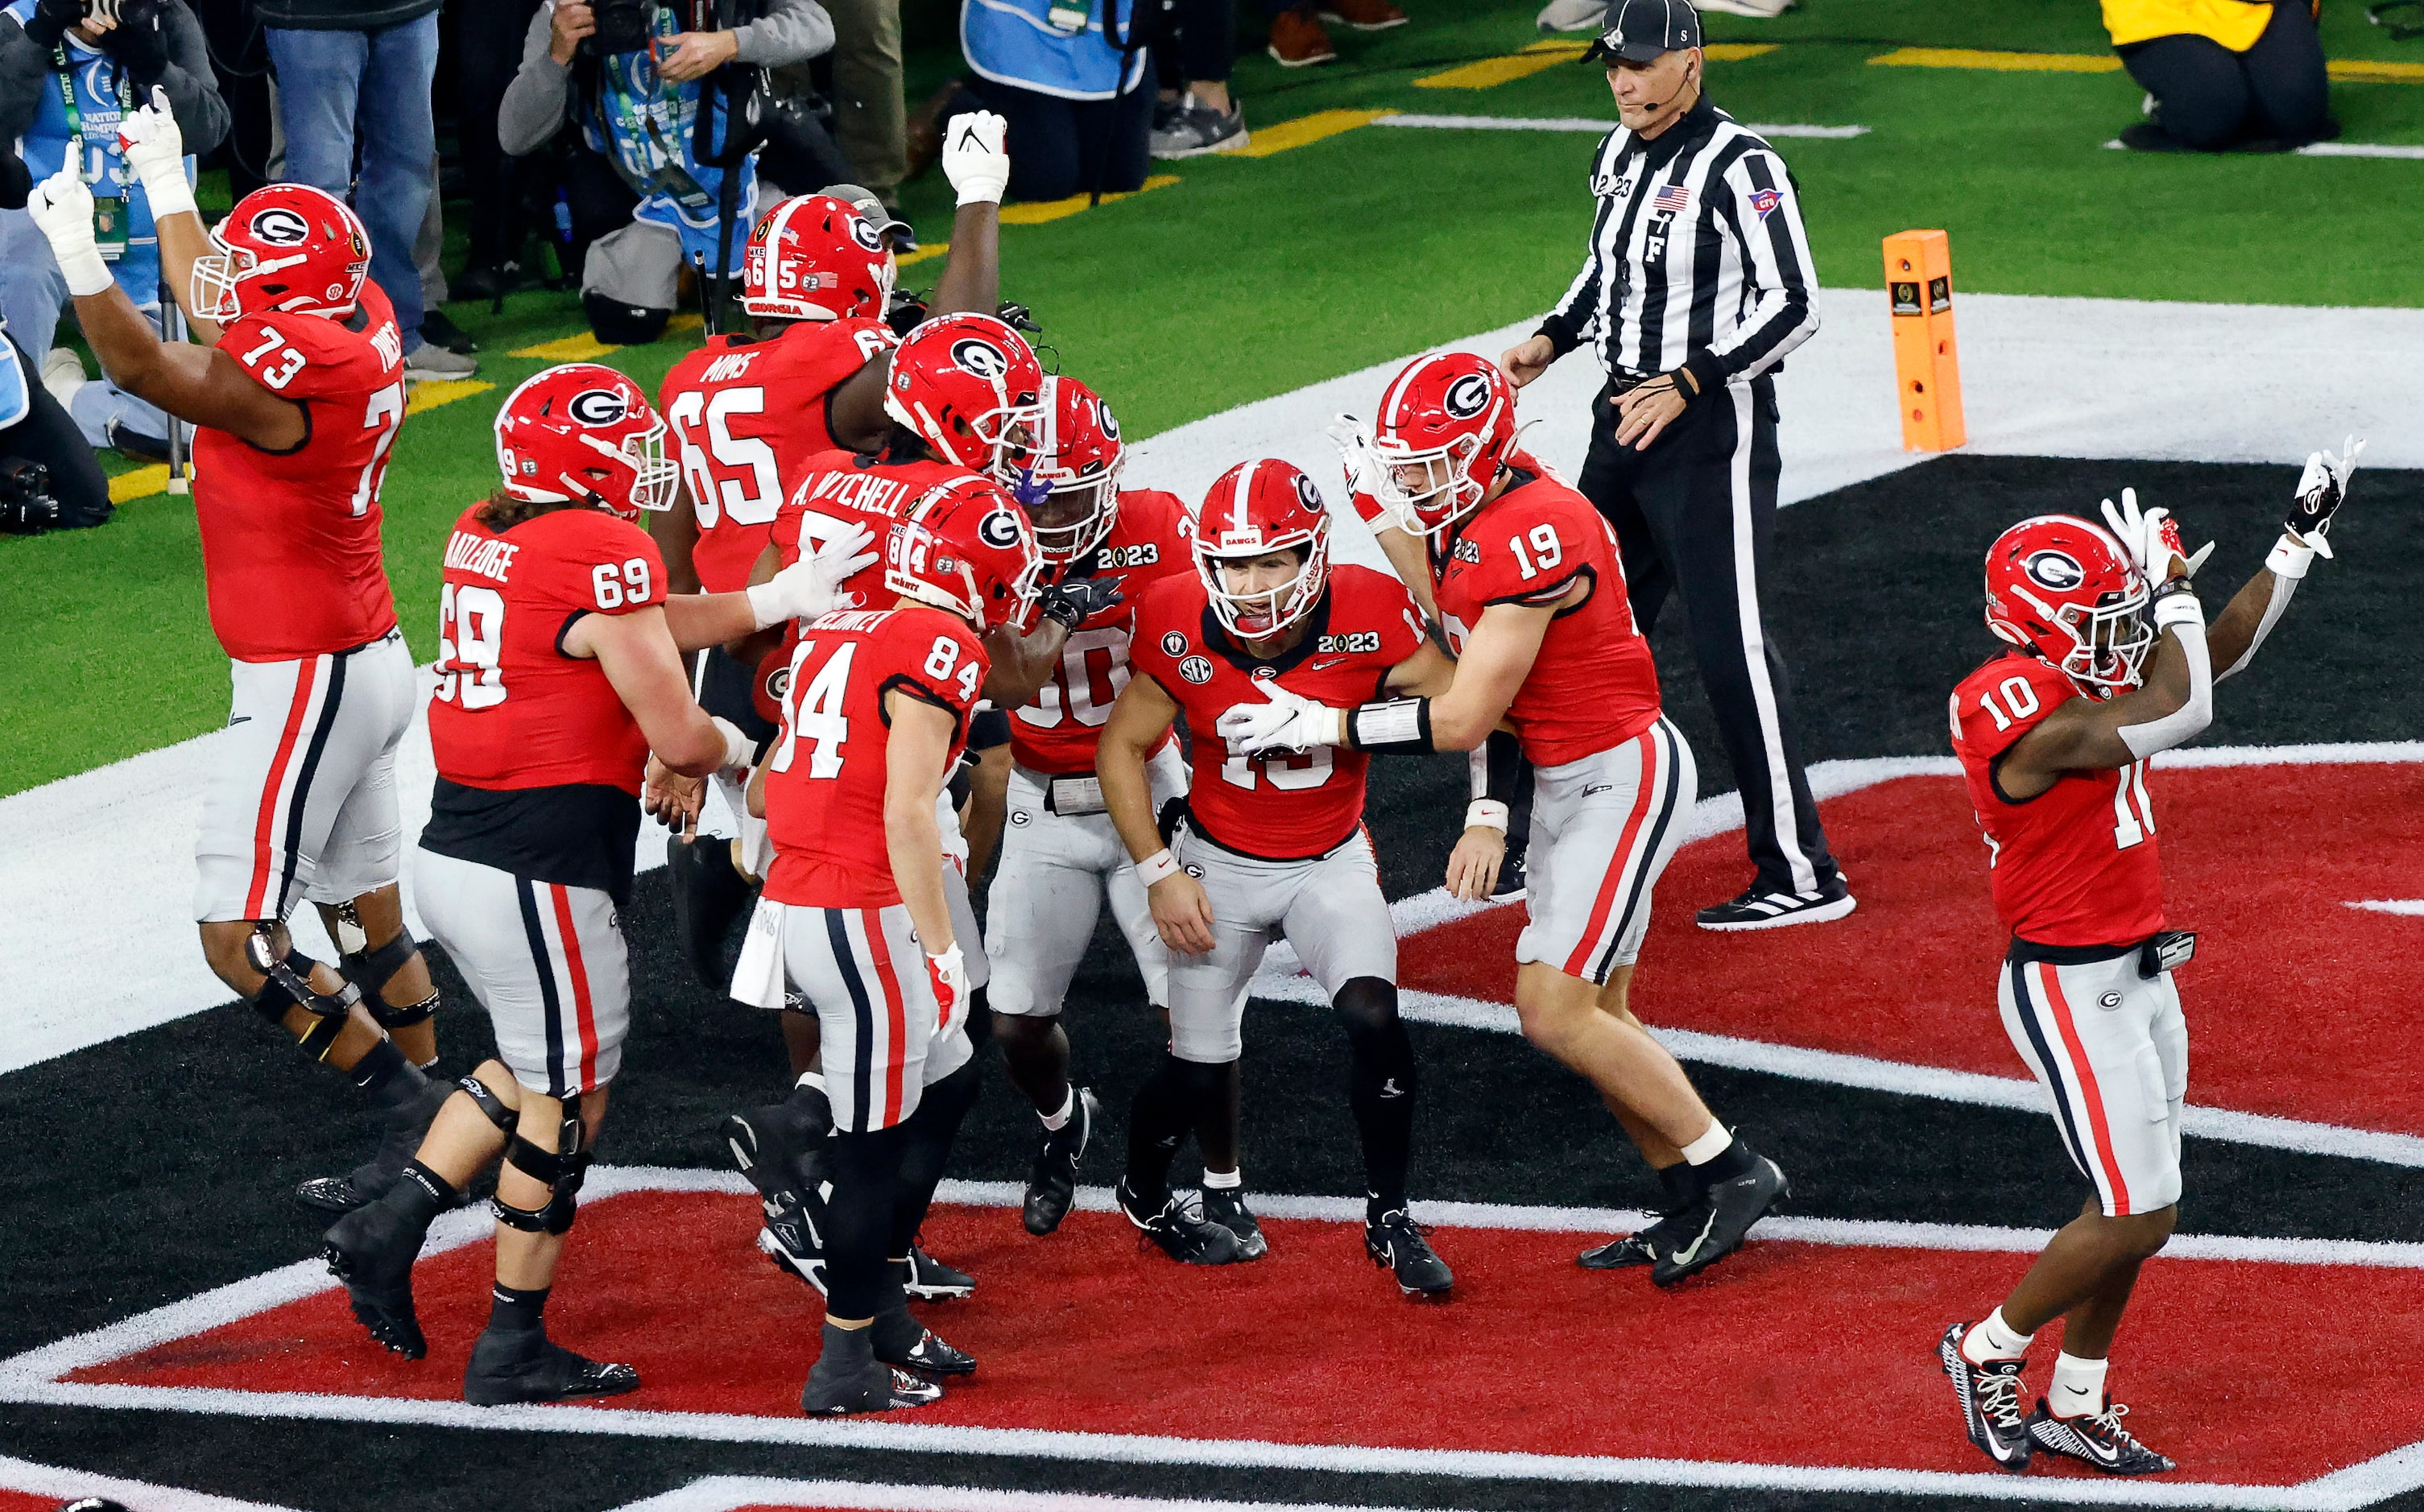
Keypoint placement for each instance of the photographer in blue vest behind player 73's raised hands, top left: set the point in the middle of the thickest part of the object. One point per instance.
(69, 69)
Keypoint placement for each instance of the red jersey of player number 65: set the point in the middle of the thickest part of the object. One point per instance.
(748, 418)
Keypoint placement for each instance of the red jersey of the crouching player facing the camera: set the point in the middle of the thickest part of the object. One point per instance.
(1276, 806)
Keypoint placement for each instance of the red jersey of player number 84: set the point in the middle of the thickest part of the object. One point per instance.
(828, 774)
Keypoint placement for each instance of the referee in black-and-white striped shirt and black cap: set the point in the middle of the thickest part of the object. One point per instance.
(1696, 287)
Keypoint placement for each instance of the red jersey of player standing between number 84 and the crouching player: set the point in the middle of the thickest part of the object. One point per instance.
(1058, 731)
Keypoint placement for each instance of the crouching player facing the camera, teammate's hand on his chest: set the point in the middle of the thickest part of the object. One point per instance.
(1269, 844)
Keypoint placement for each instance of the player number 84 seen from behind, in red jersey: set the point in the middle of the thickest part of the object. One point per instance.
(874, 721)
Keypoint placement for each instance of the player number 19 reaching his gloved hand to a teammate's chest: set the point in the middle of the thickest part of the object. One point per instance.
(1533, 600)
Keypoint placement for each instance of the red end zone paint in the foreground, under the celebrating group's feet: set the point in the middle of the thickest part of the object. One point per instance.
(1313, 1346)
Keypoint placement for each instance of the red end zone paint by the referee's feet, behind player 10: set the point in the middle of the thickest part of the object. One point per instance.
(2299, 1007)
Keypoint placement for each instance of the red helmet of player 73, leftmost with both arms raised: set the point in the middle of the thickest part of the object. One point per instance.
(290, 251)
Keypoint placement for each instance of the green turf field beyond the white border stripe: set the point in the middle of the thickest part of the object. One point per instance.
(1259, 275)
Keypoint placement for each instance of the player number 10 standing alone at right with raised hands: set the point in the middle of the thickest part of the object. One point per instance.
(2113, 663)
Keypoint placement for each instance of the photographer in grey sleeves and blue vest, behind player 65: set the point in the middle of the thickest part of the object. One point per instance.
(639, 86)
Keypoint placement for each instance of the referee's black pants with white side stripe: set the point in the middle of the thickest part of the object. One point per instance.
(1696, 517)
